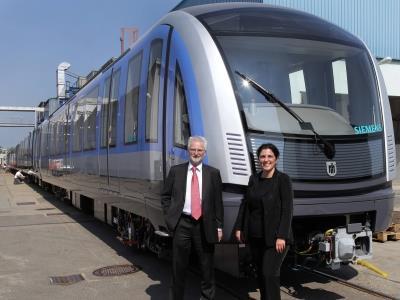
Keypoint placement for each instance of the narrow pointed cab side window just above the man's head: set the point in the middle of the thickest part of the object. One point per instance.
(181, 116)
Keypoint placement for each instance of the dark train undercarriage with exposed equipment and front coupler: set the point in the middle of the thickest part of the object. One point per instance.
(328, 240)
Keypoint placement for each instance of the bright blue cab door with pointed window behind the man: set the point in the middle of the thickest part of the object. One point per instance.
(182, 114)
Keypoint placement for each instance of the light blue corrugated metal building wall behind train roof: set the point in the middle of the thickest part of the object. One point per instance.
(376, 22)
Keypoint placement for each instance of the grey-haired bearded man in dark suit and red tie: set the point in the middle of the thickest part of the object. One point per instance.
(193, 210)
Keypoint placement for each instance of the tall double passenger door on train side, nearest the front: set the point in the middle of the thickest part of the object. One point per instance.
(108, 155)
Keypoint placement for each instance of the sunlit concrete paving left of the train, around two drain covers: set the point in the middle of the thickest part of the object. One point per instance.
(41, 237)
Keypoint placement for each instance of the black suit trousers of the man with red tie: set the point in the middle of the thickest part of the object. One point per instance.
(189, 233)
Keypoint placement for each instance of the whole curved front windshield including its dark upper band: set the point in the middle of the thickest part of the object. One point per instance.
(323, 74)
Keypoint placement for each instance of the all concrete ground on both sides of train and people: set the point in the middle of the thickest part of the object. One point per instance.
(41, 237)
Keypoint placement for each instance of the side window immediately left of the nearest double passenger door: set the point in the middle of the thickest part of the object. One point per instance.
(89, 129)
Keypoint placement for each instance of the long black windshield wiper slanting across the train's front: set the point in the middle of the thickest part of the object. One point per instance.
(326, 147)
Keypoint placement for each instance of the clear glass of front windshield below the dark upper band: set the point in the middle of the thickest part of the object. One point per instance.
(330, 85)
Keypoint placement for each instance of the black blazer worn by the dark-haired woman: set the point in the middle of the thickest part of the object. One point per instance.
(278, 209)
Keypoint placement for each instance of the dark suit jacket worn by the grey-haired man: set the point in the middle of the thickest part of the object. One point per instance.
(173, 199)
